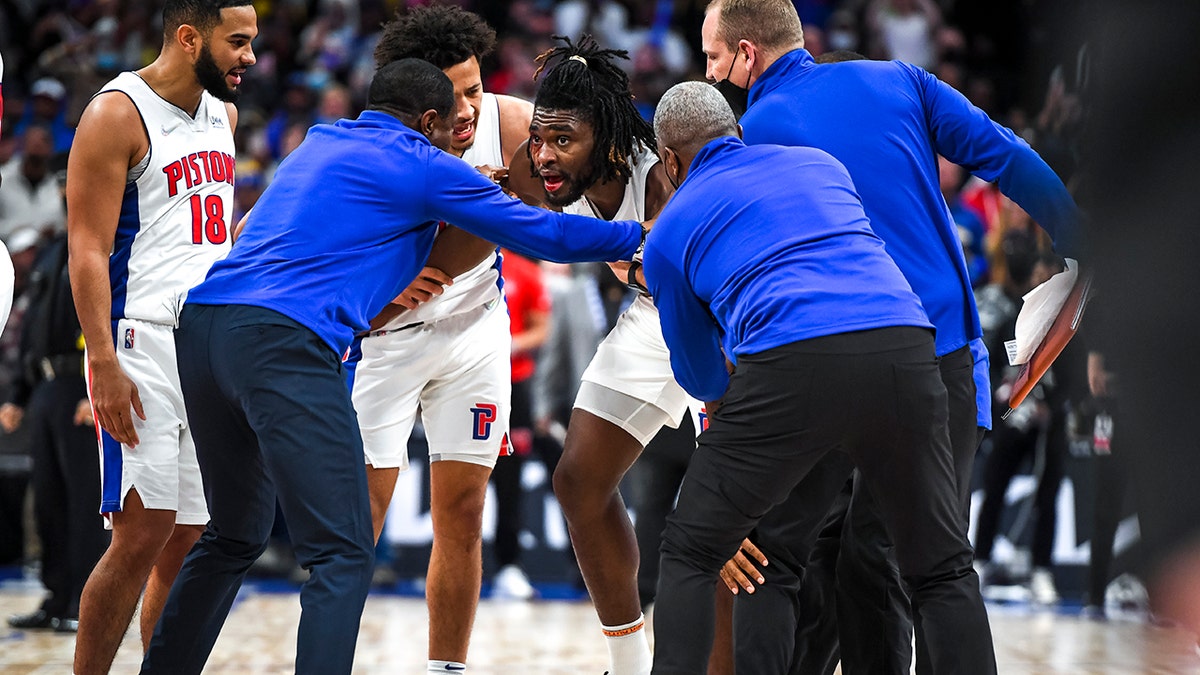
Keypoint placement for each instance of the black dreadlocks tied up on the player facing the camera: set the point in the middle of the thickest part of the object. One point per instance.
(584, 79)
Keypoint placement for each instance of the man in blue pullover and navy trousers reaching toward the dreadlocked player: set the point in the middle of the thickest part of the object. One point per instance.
(343, 230)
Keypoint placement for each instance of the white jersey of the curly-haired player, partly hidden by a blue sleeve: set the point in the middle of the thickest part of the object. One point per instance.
(479, 285)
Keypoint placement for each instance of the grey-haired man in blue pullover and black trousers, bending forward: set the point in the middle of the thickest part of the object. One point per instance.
(782, 274)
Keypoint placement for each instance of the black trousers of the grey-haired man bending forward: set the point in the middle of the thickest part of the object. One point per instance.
(877, 396)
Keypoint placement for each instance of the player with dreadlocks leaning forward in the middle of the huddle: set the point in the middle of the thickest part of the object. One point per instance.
(593, 154)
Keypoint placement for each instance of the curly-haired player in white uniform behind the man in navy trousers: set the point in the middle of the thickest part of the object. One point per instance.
(443, 348)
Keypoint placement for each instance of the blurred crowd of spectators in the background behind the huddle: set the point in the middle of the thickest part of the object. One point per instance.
(315, 62)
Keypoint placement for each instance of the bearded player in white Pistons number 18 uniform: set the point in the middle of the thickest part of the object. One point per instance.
(149, 202)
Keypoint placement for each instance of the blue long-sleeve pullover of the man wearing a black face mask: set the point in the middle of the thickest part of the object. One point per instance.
(887, 122)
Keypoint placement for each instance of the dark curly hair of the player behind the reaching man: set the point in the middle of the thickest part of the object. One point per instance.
(443, 35)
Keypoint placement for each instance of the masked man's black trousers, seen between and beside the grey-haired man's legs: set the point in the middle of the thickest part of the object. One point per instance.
(859, 611)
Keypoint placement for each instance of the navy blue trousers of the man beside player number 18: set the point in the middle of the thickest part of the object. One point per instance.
(272, 417)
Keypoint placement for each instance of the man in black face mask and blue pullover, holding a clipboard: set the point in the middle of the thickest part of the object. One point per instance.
(887, 123)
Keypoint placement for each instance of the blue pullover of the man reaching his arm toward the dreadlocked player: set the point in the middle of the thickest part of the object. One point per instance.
(351, 217)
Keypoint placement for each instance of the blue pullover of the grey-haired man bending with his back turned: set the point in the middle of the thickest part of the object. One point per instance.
(764, 247)
